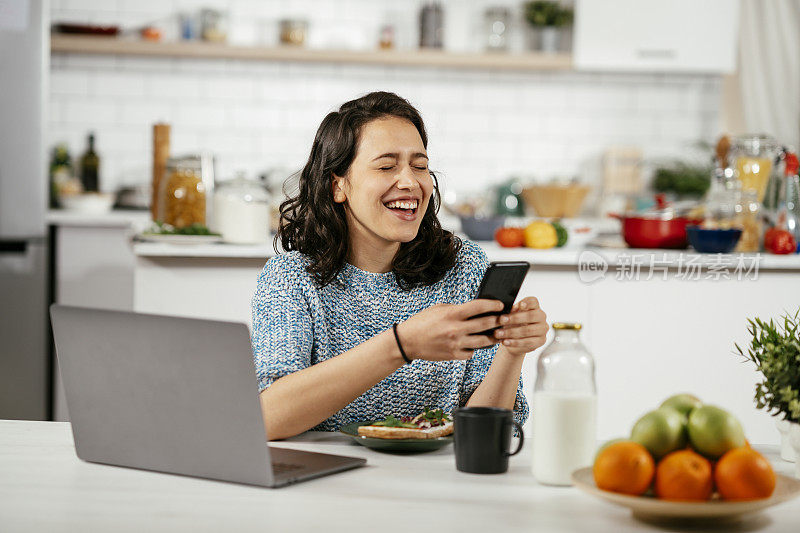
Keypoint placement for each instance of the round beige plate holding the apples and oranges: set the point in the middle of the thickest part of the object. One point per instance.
(652, 509)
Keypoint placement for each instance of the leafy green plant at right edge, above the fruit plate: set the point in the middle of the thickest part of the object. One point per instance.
(775, 350)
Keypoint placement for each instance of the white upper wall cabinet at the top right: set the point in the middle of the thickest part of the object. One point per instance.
(656, 36)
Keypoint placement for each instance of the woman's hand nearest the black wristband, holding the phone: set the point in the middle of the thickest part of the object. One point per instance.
(444, 331)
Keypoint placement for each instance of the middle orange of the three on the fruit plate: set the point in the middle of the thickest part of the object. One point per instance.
(684, 475)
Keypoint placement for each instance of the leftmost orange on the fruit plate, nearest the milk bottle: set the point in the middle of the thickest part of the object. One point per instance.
(625, 467)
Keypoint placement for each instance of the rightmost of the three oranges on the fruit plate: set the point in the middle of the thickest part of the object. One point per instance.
(744, 474)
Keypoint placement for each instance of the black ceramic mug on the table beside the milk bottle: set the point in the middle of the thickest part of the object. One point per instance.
(483, 439)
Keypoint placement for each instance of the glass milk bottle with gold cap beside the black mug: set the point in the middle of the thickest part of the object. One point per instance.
(564, 408)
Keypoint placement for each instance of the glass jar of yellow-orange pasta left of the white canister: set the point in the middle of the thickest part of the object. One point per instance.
(182, 198)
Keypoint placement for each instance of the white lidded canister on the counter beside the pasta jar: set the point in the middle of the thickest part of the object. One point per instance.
(242, 211)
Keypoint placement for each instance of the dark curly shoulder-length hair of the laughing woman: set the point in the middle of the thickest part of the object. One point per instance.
(313, 224)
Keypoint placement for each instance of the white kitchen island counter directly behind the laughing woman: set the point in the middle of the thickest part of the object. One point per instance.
(650, 338)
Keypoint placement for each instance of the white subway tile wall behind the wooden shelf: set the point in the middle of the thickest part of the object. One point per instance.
(483, 126)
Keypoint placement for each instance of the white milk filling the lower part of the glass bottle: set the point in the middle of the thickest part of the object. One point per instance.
(564, 433)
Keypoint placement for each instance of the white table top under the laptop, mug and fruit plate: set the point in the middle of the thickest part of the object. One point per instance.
(45, 487)
